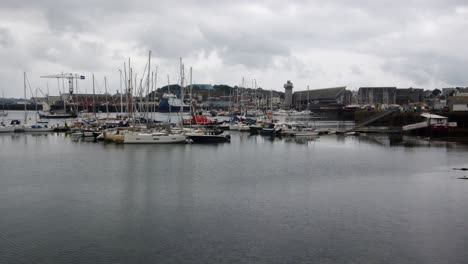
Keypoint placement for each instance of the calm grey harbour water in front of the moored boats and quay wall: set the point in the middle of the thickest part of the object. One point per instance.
(254, 200)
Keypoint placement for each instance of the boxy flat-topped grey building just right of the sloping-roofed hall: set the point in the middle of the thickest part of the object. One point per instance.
(377, 95)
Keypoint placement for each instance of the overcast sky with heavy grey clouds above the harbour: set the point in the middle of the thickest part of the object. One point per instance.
(402, 43)
